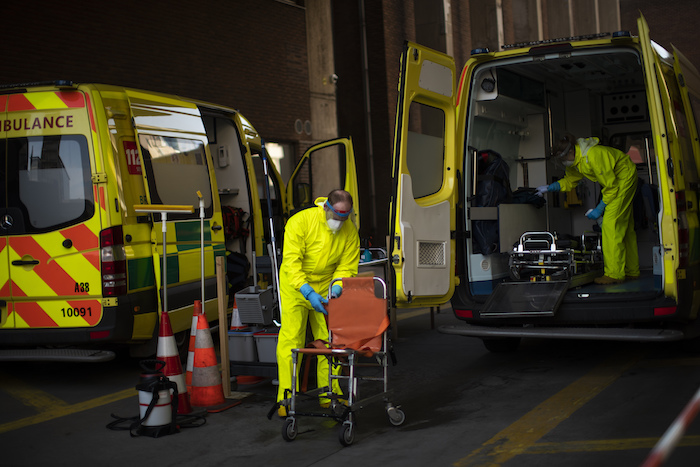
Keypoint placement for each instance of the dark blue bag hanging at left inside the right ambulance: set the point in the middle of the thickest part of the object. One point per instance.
(492, 189)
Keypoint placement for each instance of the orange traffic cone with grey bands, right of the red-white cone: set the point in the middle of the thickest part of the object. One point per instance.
(207, 390)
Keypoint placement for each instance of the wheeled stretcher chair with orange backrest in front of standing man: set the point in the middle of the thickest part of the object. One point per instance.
(356, 352)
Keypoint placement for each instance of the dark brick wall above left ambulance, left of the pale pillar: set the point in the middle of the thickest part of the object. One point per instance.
(245, 54)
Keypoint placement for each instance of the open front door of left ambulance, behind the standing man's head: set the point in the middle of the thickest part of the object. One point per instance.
(324, 167)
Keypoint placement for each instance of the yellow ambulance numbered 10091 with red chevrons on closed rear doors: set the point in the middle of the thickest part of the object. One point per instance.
(80, 267)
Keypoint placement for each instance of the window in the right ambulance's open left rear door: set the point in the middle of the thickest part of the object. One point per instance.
(425, 149)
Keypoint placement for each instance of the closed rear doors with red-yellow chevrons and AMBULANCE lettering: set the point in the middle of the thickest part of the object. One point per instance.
(49, 252)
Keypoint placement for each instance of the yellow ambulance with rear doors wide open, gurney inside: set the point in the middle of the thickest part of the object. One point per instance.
(468, 227)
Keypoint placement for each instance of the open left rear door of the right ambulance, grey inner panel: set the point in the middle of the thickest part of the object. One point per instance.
(425, 179)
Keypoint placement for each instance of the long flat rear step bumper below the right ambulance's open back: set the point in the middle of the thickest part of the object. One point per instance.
(604, 334)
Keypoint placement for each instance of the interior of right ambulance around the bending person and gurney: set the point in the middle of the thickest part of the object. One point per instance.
(517, 108)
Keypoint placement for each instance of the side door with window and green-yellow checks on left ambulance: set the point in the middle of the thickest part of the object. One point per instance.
(171, 140)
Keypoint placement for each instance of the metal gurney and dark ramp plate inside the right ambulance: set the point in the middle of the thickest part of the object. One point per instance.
(543, 268)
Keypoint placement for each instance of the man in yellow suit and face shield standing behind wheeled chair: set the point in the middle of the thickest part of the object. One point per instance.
(319, 246)
